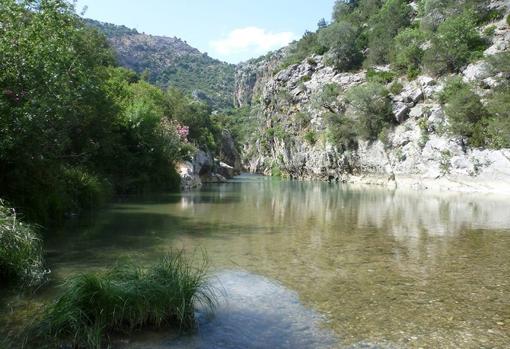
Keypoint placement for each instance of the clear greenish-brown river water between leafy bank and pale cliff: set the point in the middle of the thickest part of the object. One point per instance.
(402, 269)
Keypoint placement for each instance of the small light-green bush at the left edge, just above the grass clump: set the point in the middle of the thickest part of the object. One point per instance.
(20, 251)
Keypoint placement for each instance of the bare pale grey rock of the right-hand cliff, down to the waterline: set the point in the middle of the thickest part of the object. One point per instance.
(418, 152)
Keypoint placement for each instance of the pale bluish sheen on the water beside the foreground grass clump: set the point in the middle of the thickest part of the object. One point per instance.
(253, 312)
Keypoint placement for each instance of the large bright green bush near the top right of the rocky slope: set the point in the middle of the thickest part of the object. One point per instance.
(455, 44)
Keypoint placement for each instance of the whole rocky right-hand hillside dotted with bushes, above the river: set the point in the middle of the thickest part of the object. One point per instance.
(427, 108)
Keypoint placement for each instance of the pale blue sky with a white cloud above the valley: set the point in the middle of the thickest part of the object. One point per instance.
(230, 30)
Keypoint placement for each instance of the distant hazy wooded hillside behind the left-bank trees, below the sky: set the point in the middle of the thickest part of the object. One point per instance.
(172, 62)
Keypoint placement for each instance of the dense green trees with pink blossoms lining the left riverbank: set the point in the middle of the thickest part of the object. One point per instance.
(73, 126)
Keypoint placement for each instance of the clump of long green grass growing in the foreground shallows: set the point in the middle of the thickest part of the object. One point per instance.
(124, 298)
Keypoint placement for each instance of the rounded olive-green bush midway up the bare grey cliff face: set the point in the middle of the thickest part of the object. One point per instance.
(372, 109)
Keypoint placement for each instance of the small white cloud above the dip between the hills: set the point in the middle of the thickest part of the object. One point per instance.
(251, 40)
